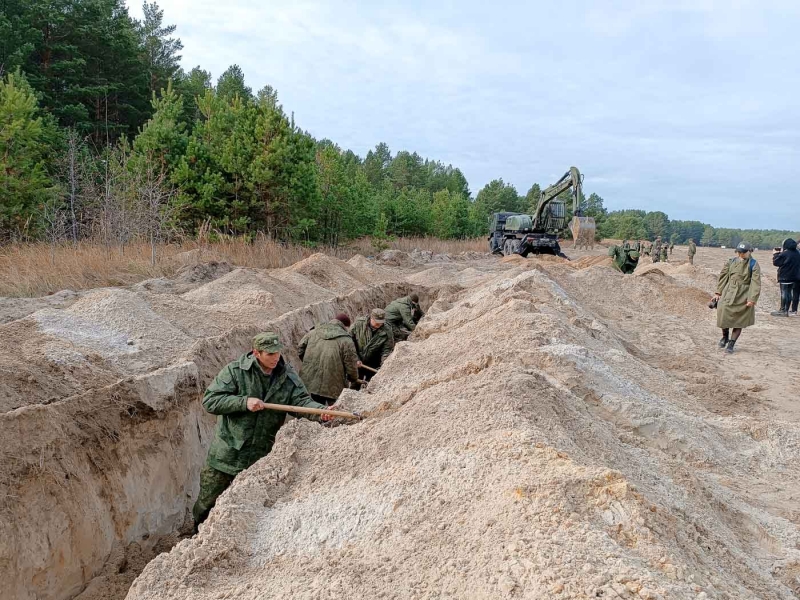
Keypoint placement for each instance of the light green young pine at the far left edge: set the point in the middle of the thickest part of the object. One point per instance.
(24, 182)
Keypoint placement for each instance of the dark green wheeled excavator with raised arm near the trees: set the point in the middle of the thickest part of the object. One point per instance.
(538, 233)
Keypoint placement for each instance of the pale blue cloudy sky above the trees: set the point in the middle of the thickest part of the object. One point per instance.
(685, 106)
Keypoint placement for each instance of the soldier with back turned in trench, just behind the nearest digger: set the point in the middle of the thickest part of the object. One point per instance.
(329, 360)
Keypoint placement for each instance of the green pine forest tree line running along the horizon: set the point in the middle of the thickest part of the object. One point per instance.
(103, 135)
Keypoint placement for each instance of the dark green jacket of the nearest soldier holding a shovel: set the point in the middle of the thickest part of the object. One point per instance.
(242, 437)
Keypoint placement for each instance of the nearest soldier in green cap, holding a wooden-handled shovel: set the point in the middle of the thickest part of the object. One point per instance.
(245, 430)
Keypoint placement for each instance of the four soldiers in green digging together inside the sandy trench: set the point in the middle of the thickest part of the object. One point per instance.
(333, 356)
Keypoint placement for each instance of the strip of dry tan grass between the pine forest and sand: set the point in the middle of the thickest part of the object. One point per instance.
(28, 270)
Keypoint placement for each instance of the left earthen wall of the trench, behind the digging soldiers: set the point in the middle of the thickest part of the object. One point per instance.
(95, 485)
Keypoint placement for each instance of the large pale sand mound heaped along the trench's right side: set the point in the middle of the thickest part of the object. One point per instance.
(516, 449)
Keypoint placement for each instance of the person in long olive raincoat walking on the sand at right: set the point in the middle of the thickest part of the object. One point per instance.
(738, 289)
